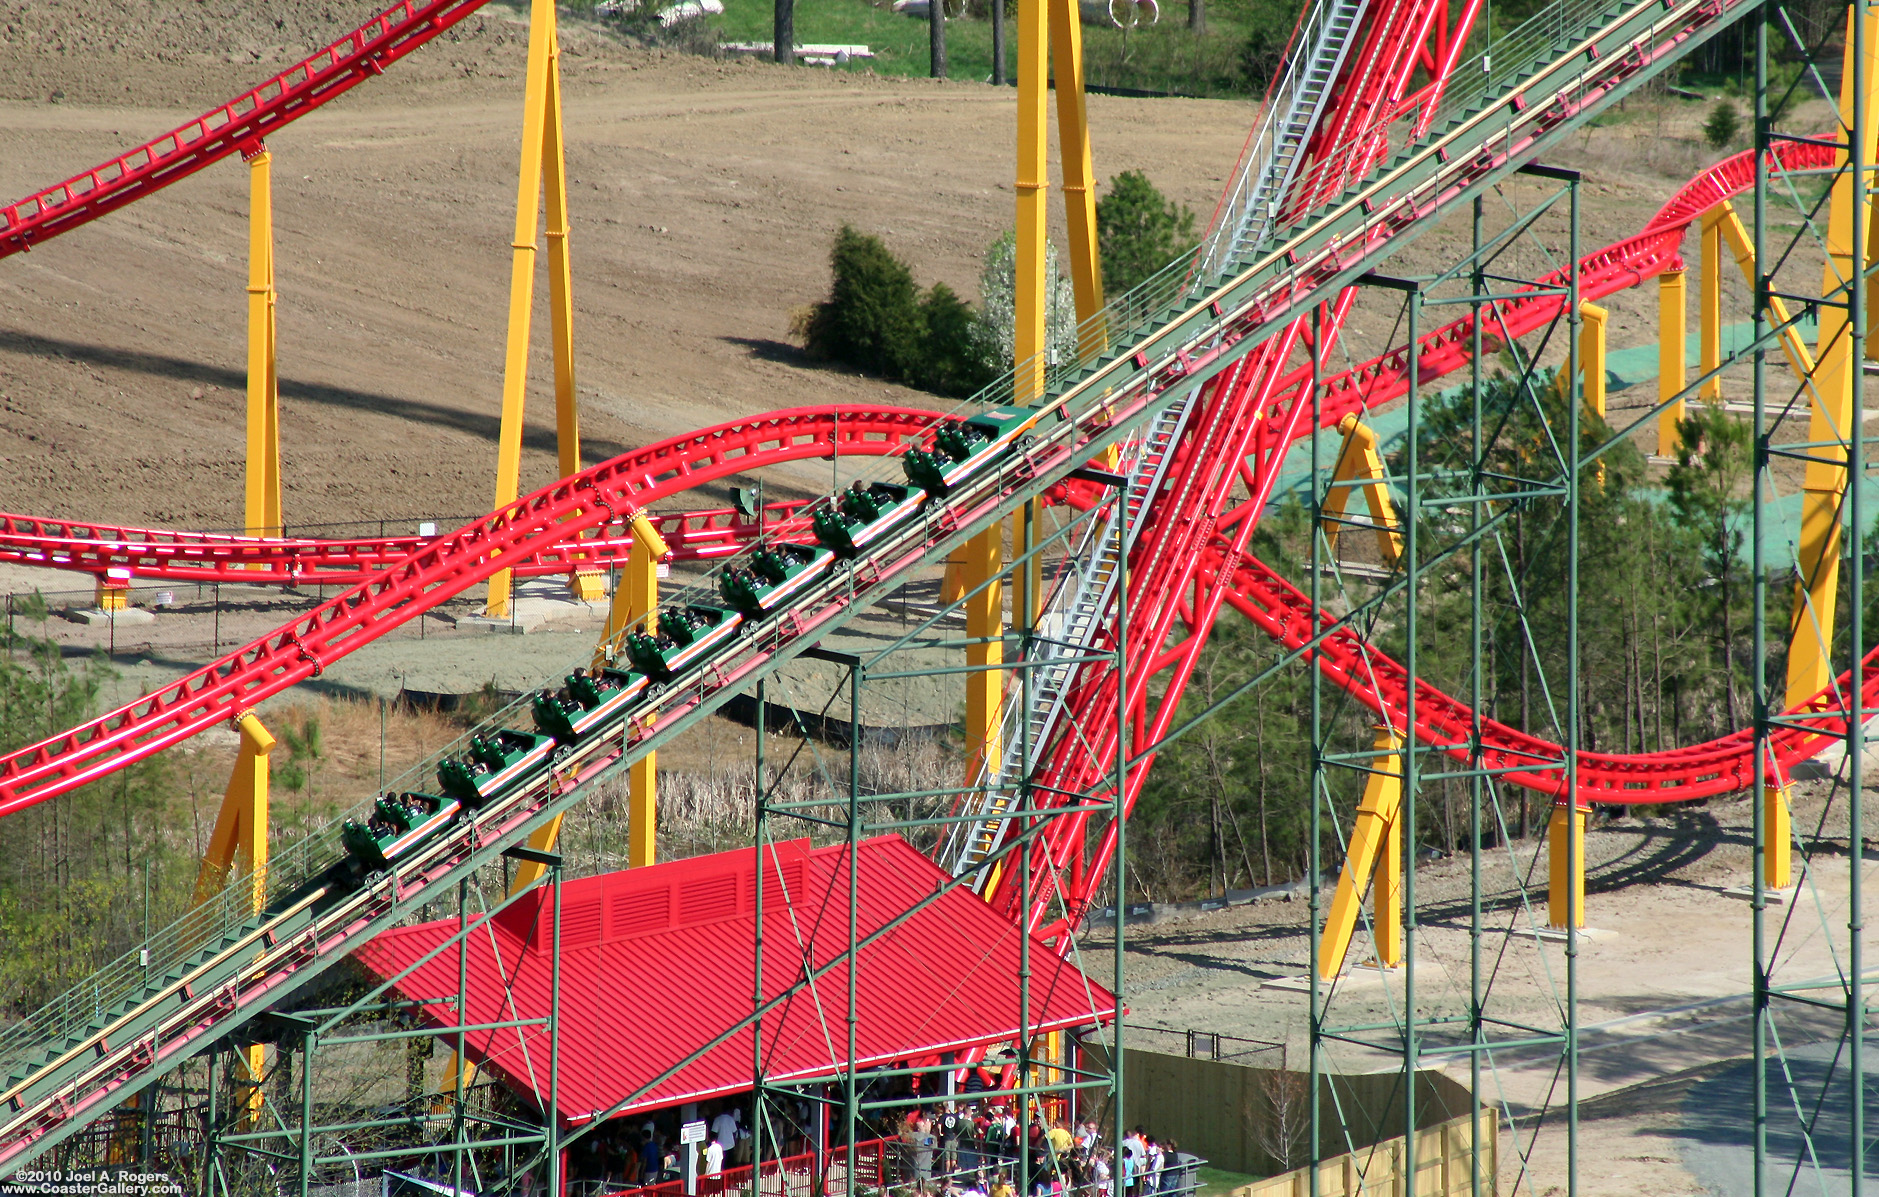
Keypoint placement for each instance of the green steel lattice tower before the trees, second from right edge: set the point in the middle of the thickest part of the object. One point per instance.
(1435, 1004)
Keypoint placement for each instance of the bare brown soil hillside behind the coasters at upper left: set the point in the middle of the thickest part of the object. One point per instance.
(704, 196)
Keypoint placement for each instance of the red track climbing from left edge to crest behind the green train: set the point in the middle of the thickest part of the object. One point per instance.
(598, 497)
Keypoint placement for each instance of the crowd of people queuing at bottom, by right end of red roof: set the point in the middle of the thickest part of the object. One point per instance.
(976, 1151)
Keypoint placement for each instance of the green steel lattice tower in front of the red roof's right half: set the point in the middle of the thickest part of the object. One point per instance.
(1038, 1070)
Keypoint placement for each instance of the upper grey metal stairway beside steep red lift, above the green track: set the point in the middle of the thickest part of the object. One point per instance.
(1275, 157)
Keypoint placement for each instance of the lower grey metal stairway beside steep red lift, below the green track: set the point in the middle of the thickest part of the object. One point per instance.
(1072, 625)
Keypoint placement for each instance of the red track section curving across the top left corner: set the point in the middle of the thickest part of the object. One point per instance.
(238, 125)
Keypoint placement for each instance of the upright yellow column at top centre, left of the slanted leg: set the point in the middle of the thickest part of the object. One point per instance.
(1033, 187)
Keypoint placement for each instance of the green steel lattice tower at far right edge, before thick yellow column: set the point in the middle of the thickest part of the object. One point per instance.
(1809, 1123)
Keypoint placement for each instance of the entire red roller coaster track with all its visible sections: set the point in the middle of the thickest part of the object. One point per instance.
(1192, 557)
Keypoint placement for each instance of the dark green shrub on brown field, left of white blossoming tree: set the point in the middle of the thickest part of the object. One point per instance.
(878, 320)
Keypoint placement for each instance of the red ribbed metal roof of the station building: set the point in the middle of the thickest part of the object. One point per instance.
(659, 961)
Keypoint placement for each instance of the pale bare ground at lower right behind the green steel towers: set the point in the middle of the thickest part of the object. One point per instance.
(1662, 984)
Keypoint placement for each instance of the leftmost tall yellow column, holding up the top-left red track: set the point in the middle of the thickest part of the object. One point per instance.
(262, 508)
